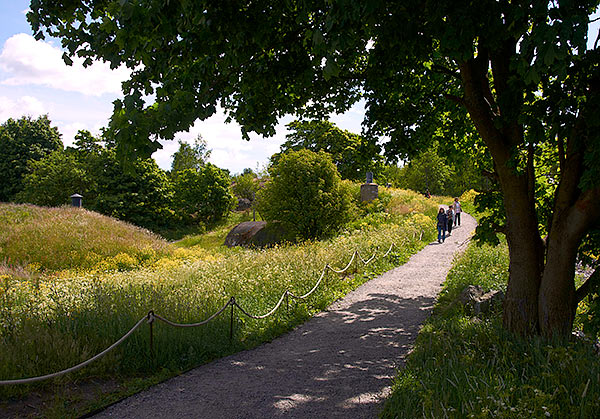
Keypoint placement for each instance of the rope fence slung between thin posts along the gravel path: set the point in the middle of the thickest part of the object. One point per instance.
(151, 317)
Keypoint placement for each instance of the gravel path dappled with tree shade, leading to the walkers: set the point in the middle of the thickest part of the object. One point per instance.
(339, 364)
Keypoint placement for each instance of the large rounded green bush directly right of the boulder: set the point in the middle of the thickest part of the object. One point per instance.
(305, 194)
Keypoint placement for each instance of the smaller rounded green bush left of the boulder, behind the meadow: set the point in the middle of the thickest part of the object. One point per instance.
(202, 195)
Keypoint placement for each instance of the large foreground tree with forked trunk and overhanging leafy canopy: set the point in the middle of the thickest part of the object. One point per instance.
(519, 72)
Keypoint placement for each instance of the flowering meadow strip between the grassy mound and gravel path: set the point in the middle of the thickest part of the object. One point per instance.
(60, 318)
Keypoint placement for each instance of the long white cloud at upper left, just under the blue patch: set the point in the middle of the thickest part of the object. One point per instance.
(28, 62)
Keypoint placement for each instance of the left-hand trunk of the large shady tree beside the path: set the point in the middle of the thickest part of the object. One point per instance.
(525, 245)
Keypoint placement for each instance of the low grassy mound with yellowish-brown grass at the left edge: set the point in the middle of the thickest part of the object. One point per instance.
(50, 239)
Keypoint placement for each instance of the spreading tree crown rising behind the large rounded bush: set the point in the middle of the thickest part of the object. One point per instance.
(353, 154)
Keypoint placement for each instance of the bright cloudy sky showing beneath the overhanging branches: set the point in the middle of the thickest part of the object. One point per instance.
(35, 81)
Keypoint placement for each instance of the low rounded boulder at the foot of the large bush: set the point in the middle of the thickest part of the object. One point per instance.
(256, 234)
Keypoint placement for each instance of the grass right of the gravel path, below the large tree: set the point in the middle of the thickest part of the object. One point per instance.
(465, 366)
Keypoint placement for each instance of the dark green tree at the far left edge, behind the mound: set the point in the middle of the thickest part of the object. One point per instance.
(21, 141)
